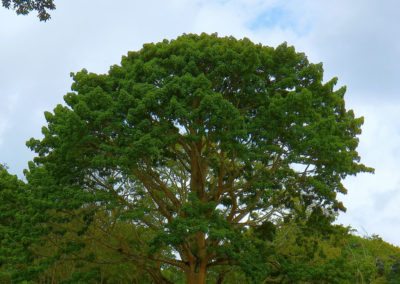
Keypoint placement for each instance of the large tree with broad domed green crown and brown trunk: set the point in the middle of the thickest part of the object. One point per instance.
(199, 144)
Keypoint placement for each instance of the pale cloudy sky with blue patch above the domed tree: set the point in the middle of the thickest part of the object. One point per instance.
(358, 41)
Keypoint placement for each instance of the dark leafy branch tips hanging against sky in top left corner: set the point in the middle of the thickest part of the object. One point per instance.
(24, 7)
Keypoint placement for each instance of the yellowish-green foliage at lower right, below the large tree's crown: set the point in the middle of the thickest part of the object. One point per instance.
(330, 256)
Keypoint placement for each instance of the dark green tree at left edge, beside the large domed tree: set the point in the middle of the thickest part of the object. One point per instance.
(17, 234)
